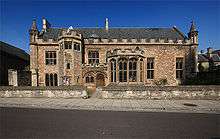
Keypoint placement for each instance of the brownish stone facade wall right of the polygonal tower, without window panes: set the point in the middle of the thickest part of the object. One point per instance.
(164, 59)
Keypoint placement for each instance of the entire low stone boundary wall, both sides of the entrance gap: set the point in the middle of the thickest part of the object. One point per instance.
(129, 92)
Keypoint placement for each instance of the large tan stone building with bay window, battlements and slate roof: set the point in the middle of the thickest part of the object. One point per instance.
(103, 56)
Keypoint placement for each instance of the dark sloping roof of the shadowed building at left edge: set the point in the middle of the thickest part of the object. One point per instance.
(7, 48)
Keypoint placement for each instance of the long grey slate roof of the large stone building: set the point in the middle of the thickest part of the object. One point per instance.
(120, 33)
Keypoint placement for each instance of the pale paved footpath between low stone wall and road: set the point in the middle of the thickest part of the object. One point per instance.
(195, 106)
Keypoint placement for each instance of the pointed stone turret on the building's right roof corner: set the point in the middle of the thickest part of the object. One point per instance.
(193, 33)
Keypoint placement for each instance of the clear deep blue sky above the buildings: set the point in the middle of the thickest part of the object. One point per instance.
(16, 17)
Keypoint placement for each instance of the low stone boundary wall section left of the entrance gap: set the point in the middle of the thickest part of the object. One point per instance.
(48, 92)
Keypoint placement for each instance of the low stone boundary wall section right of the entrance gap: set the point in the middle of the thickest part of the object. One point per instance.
(160, 92)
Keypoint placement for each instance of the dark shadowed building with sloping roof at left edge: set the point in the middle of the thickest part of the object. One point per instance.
(14, 66)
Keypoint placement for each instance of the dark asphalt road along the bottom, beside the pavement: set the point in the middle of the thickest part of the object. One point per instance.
(23, 123)
